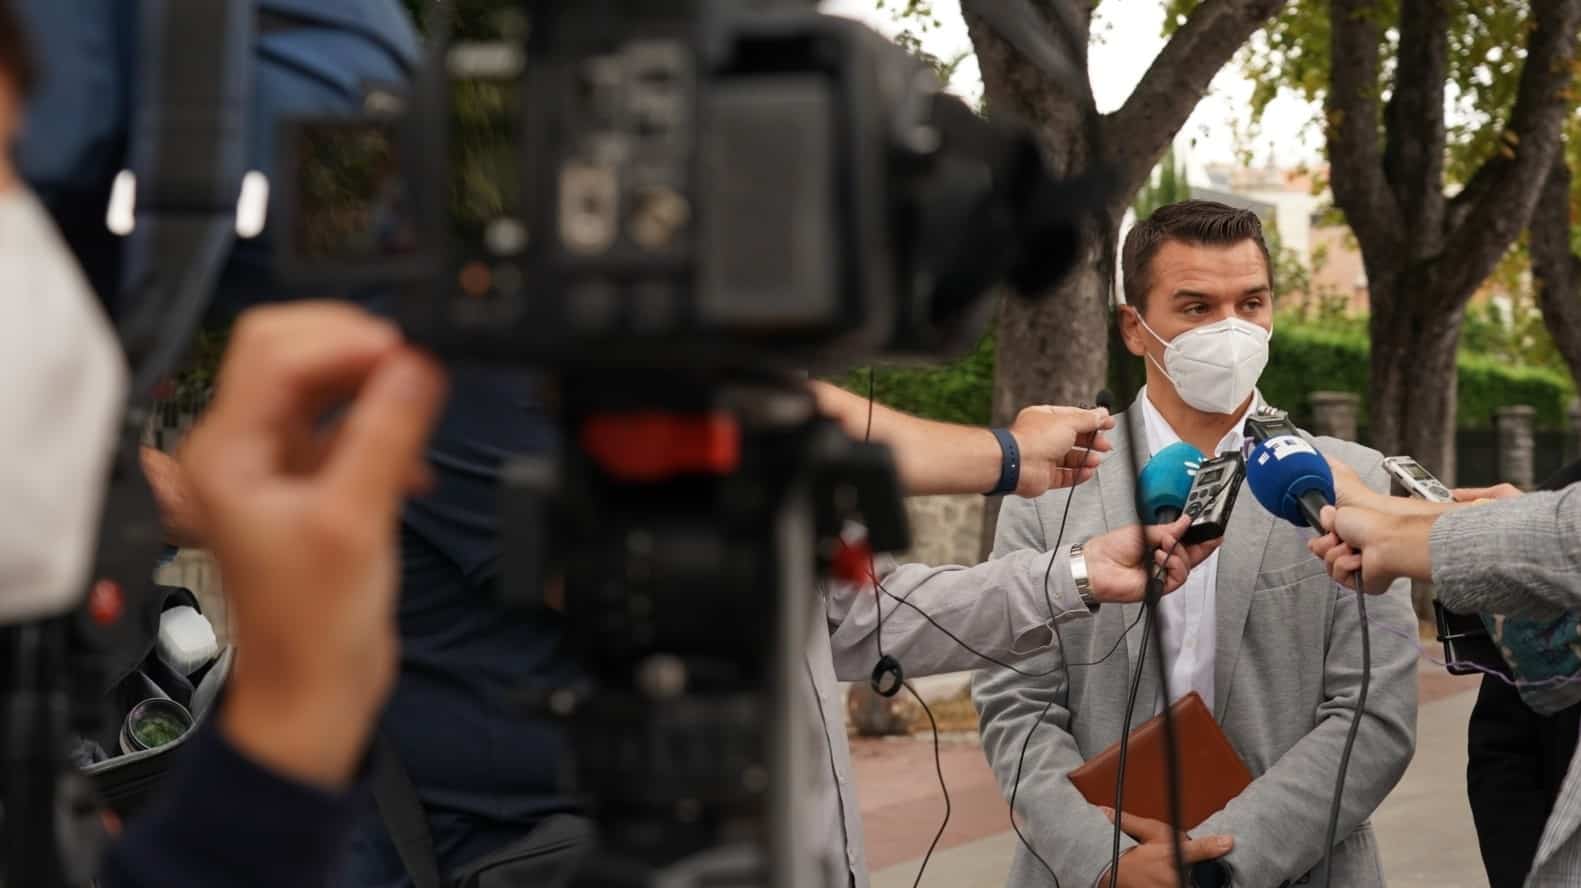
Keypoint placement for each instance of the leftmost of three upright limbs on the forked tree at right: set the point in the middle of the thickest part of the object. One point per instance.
(1353, 110)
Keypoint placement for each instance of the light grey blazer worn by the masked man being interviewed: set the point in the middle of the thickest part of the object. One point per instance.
(1286, 679)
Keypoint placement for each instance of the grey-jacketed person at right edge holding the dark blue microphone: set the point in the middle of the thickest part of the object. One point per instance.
(1519, 557)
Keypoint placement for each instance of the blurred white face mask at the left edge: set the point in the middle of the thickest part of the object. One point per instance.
(62, 385)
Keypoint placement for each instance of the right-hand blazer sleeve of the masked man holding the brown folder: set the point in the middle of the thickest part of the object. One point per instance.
(1280, 822)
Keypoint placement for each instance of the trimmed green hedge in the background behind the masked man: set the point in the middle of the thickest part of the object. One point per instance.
(1304, 359)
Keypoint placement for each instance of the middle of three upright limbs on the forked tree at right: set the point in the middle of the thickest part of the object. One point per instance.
(1414, 122)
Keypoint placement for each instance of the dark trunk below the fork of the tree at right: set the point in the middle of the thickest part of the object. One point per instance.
(1413, 382)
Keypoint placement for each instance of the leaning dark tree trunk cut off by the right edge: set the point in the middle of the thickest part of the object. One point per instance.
(1556, 269)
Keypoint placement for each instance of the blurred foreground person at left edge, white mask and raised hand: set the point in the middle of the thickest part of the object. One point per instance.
(304, 529)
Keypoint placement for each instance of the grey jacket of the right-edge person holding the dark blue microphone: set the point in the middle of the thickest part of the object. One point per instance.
(1522, 557)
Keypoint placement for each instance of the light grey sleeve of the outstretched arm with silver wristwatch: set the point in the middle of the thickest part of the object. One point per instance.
(1003, 609)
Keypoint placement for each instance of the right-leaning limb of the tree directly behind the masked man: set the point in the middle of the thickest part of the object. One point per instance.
(1138, 135)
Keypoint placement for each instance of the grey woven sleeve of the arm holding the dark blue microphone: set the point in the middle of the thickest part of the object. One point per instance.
(1517, 557)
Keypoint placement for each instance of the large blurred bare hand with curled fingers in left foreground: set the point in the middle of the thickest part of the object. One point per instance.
(304, 524)
